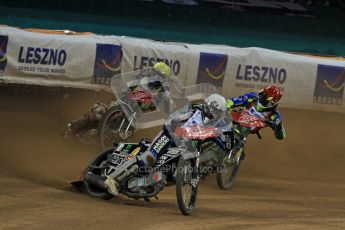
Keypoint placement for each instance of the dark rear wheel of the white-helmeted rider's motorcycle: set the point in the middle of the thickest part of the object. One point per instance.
(94, 177)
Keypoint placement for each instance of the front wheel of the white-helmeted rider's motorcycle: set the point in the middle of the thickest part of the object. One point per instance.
(186, 185)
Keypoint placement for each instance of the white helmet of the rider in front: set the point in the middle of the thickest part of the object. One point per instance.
(214, 106)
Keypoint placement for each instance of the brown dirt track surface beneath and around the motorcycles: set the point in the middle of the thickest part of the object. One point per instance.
(298, 183)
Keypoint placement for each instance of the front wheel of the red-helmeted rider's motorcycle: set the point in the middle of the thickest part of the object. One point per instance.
(226, 173)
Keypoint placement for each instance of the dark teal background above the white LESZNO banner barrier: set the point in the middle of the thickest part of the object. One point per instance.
(318, 30)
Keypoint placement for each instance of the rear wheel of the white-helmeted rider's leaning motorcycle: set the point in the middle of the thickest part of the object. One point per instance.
(92, 189)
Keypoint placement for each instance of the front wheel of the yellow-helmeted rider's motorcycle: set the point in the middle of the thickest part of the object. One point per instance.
(112, 128)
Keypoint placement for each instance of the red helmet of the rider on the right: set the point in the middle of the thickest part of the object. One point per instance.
(269, 97)
